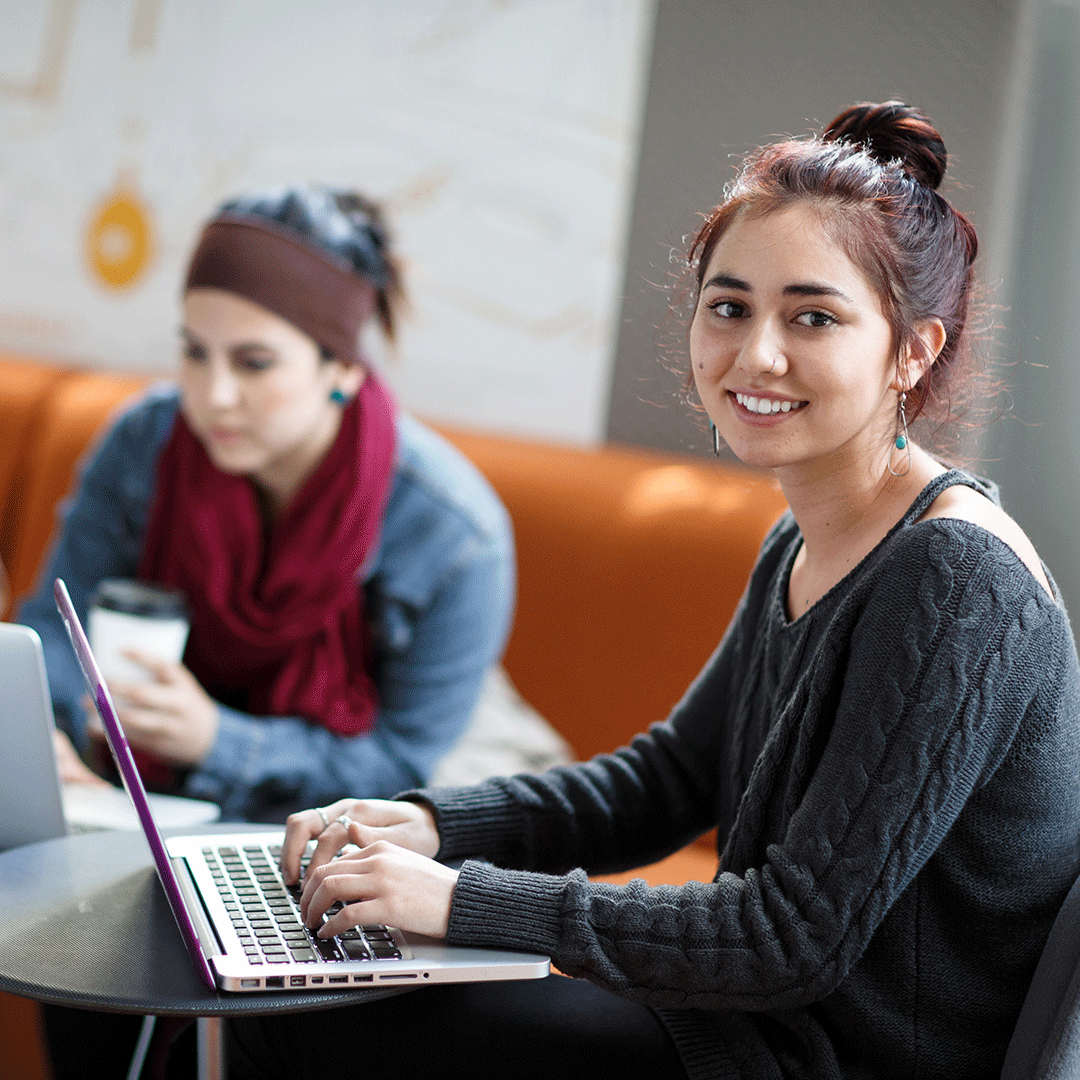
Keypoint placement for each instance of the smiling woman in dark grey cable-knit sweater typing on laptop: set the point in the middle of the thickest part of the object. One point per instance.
(886, 737)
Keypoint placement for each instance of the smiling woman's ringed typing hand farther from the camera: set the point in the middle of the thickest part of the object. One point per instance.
(410, 826)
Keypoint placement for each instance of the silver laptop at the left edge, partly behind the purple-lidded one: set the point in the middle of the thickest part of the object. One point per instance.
(34, 804)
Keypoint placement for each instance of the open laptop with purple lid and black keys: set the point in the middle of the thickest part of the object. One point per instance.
(239, 922)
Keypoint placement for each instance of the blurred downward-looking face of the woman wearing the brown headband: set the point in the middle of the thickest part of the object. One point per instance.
(256, 391)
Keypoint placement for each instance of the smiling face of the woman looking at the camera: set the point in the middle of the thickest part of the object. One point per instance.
(792, 355)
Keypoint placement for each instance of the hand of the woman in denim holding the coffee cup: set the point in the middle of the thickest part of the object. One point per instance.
(170, 715)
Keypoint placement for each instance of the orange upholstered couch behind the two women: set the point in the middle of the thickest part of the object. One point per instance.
(630, 563)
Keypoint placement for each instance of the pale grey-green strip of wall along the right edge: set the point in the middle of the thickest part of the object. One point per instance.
(1035, 444)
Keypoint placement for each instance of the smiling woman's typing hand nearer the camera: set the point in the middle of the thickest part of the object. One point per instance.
(381, 884)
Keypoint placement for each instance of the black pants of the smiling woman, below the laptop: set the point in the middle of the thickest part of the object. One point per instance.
(557, 1029)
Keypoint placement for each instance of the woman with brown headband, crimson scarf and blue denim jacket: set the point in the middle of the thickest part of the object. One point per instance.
(348, 575)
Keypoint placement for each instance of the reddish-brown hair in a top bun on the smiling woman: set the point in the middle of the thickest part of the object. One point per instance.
(873, 178)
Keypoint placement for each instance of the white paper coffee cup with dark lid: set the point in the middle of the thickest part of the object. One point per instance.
(134, 615)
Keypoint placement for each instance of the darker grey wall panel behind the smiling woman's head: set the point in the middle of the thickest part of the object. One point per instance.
(727, 75)
